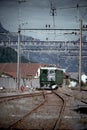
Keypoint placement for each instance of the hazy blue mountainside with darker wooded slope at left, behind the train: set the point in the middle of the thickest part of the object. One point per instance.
(64, 55)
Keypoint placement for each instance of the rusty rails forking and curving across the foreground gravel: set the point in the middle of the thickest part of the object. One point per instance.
(43, 93)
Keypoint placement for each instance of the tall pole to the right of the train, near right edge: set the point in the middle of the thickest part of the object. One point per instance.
(80, 55)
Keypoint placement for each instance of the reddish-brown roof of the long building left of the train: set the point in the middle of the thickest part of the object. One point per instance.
(27, 69)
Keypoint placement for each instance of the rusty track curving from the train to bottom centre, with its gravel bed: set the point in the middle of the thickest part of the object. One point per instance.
(40, 109)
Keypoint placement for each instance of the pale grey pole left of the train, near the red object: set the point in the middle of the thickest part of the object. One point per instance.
(18, 59)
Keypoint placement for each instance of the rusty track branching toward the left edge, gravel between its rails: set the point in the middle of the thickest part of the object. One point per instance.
(8, 100)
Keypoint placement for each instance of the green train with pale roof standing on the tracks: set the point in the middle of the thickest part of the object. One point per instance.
(51, 77)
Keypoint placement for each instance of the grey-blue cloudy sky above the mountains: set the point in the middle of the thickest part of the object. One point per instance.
(37, 14)
